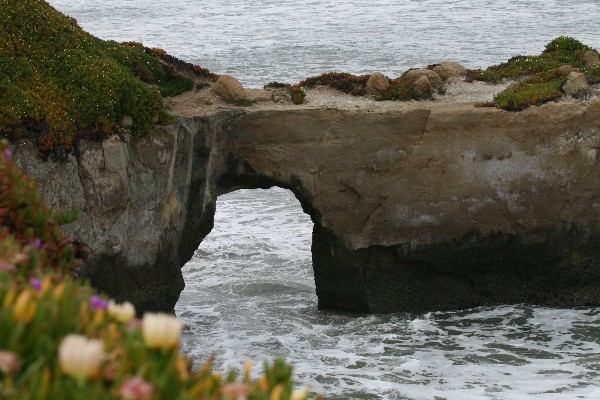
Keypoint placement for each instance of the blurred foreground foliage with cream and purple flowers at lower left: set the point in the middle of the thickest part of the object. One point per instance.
(42, 309)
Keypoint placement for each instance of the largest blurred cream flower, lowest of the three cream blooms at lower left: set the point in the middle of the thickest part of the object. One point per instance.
(79, 356)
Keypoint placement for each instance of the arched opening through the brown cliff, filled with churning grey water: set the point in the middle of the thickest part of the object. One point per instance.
(258, 253)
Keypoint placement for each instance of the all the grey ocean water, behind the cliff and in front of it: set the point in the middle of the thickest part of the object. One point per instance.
(249, 287)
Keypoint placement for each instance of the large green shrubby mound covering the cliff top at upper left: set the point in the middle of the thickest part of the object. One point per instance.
(67, 83)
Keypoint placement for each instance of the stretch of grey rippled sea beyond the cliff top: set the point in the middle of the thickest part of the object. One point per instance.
(259, 41)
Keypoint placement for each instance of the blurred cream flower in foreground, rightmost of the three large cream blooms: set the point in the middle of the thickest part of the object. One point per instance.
(161, 330)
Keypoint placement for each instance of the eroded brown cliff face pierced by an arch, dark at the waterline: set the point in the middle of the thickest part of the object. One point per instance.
(416, 207)
